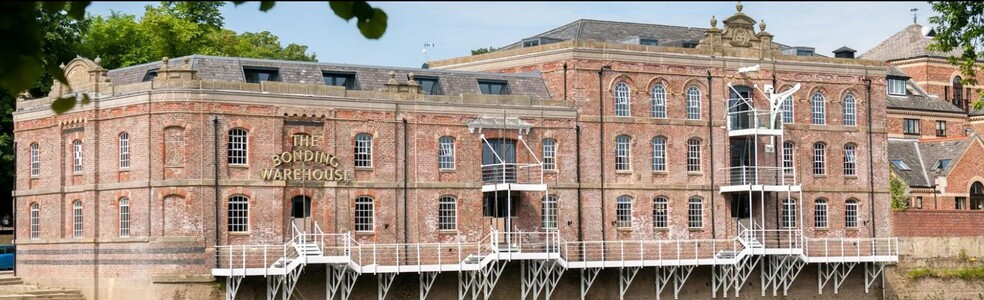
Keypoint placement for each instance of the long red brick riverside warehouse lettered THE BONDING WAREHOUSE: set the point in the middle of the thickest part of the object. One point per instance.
(714, 149)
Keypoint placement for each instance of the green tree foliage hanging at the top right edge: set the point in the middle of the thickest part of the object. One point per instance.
(960, 26)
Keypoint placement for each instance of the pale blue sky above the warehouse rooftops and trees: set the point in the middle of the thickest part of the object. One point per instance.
(457, 27)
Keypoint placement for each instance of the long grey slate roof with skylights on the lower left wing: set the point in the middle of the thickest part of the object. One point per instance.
(368, 78)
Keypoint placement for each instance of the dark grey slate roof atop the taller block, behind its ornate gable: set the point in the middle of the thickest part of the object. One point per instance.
(619, 32)
